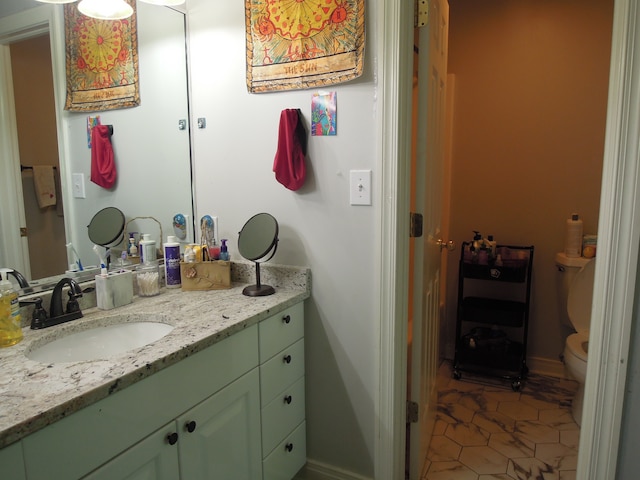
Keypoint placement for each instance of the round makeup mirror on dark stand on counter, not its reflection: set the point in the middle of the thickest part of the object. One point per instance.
(257, 240)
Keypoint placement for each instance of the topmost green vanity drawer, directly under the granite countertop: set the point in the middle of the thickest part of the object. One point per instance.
(280, 330)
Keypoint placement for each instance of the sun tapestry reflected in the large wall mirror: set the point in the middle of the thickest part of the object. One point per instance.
(102, 61)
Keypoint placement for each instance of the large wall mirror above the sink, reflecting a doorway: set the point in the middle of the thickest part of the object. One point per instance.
(150, 142)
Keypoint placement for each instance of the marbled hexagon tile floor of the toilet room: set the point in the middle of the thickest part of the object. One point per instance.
(486, 431)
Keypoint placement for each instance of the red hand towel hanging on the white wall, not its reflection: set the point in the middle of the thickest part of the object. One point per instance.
(288, 164)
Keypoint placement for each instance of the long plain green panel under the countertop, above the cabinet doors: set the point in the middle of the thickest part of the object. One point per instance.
(76, 445)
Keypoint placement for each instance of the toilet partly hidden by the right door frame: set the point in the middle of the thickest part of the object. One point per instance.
(576, 292)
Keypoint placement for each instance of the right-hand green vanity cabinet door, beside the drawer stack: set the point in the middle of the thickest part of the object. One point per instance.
(220, 437)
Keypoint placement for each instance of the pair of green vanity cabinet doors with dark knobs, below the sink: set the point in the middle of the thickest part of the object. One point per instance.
(219, 438)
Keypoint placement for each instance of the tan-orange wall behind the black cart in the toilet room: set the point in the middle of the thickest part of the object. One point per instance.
(531, 79)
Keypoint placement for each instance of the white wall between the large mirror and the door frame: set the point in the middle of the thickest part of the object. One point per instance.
(233, 160)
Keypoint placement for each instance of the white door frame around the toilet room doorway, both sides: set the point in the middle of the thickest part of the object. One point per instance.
(618, 232)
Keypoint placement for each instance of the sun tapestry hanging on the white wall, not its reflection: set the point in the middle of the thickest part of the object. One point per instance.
(296, 44)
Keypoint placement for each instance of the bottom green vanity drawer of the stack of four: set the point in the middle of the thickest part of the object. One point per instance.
(288, 457)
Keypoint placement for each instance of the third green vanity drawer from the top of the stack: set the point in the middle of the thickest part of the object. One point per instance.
(281, 415)
